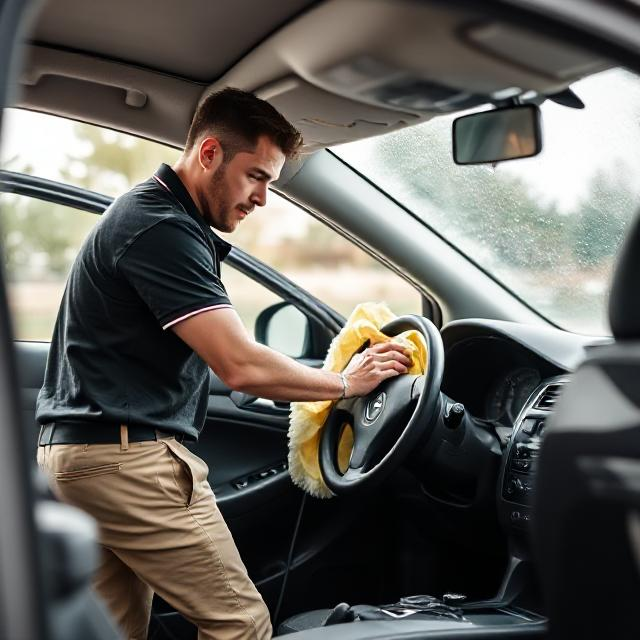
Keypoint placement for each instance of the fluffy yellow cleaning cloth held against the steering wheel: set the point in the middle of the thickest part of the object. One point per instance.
(307, 418)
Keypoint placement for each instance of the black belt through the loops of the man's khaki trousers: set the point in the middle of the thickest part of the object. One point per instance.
(99, 433)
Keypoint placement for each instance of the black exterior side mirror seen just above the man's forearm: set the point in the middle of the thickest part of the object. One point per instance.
(284, 328)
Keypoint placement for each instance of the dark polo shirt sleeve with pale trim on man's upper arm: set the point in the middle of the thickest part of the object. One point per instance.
(172, 268)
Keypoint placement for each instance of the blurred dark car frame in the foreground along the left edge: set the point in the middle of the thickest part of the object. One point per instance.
(47, 550)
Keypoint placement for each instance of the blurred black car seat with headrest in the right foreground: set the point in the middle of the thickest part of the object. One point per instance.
(588, 485)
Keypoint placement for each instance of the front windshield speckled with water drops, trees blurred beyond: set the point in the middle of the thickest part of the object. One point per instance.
(549, 227)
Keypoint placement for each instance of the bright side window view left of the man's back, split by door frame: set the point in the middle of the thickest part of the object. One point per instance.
(42, 239)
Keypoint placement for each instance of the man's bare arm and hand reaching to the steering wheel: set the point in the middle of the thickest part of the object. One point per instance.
(221, 340)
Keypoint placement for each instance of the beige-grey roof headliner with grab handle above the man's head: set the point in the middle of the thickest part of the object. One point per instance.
(340, 70)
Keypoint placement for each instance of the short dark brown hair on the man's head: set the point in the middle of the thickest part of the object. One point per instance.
(238, 118)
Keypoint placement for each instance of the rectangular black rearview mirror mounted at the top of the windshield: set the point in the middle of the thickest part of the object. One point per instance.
(497, 135)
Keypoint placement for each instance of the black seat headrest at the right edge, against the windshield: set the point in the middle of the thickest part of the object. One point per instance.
(624, 301)
